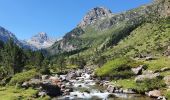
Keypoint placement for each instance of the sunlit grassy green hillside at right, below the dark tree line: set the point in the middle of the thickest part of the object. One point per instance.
(149, 38)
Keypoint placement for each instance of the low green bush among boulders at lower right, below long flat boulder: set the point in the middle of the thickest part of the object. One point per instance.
(149, 84)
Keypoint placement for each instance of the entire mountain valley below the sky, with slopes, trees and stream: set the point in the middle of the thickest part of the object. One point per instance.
(107, 56)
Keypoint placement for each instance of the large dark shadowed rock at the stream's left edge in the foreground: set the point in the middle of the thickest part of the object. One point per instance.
(51, 90)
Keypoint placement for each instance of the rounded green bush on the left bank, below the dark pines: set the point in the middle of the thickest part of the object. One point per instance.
(22, 77)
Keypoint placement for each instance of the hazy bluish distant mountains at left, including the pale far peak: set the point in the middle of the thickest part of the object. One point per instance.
(39, 41)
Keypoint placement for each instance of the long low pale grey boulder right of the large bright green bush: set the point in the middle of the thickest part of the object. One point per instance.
(140, 78)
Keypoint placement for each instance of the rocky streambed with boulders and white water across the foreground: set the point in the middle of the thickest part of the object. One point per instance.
(80, 84)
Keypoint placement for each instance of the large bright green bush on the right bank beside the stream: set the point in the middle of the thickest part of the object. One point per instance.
(117, 68)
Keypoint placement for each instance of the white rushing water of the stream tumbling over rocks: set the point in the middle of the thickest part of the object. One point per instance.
(86, 89)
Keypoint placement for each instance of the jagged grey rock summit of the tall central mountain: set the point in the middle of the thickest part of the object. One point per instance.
(93, 15)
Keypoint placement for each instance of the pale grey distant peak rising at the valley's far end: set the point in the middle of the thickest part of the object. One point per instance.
(41, 41)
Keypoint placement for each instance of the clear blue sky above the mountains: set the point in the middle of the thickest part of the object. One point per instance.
(25, 18)
